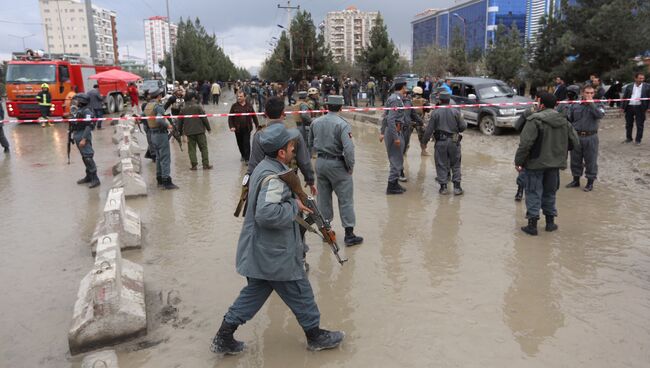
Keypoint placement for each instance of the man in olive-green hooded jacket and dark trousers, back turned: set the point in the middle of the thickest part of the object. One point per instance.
(542, 153)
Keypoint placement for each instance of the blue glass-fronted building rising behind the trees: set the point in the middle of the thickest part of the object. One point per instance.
(475, 20)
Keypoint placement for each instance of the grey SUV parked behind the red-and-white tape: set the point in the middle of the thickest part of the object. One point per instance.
(490, 119)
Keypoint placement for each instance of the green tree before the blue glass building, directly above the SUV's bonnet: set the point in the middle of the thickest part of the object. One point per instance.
(505, 58)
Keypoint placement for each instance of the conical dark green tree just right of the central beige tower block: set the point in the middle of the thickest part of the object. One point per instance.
(380, 58)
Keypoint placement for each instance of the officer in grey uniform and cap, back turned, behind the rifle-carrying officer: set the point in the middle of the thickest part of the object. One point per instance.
(331, 137)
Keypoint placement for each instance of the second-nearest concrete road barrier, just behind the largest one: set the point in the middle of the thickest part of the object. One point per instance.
(118, 218)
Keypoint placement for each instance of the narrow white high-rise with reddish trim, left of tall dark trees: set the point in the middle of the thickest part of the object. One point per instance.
(157, 41)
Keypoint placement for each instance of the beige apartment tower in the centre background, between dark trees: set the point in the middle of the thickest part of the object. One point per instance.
(347, 32)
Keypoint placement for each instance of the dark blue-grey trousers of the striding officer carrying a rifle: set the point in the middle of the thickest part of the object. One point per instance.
(297, 295)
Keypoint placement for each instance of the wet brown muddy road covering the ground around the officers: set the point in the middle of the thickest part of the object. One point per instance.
(440, 280)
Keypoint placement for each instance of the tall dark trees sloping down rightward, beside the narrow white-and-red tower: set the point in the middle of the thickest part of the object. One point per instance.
(198, 57)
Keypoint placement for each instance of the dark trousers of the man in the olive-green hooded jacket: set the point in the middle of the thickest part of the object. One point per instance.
(541, 186)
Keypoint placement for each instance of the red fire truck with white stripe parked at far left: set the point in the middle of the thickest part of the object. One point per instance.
(26, 72)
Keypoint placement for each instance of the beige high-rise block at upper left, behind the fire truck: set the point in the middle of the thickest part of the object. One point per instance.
(79, 27)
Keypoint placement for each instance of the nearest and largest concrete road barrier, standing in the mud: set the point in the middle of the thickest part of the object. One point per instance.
(110, 306)
